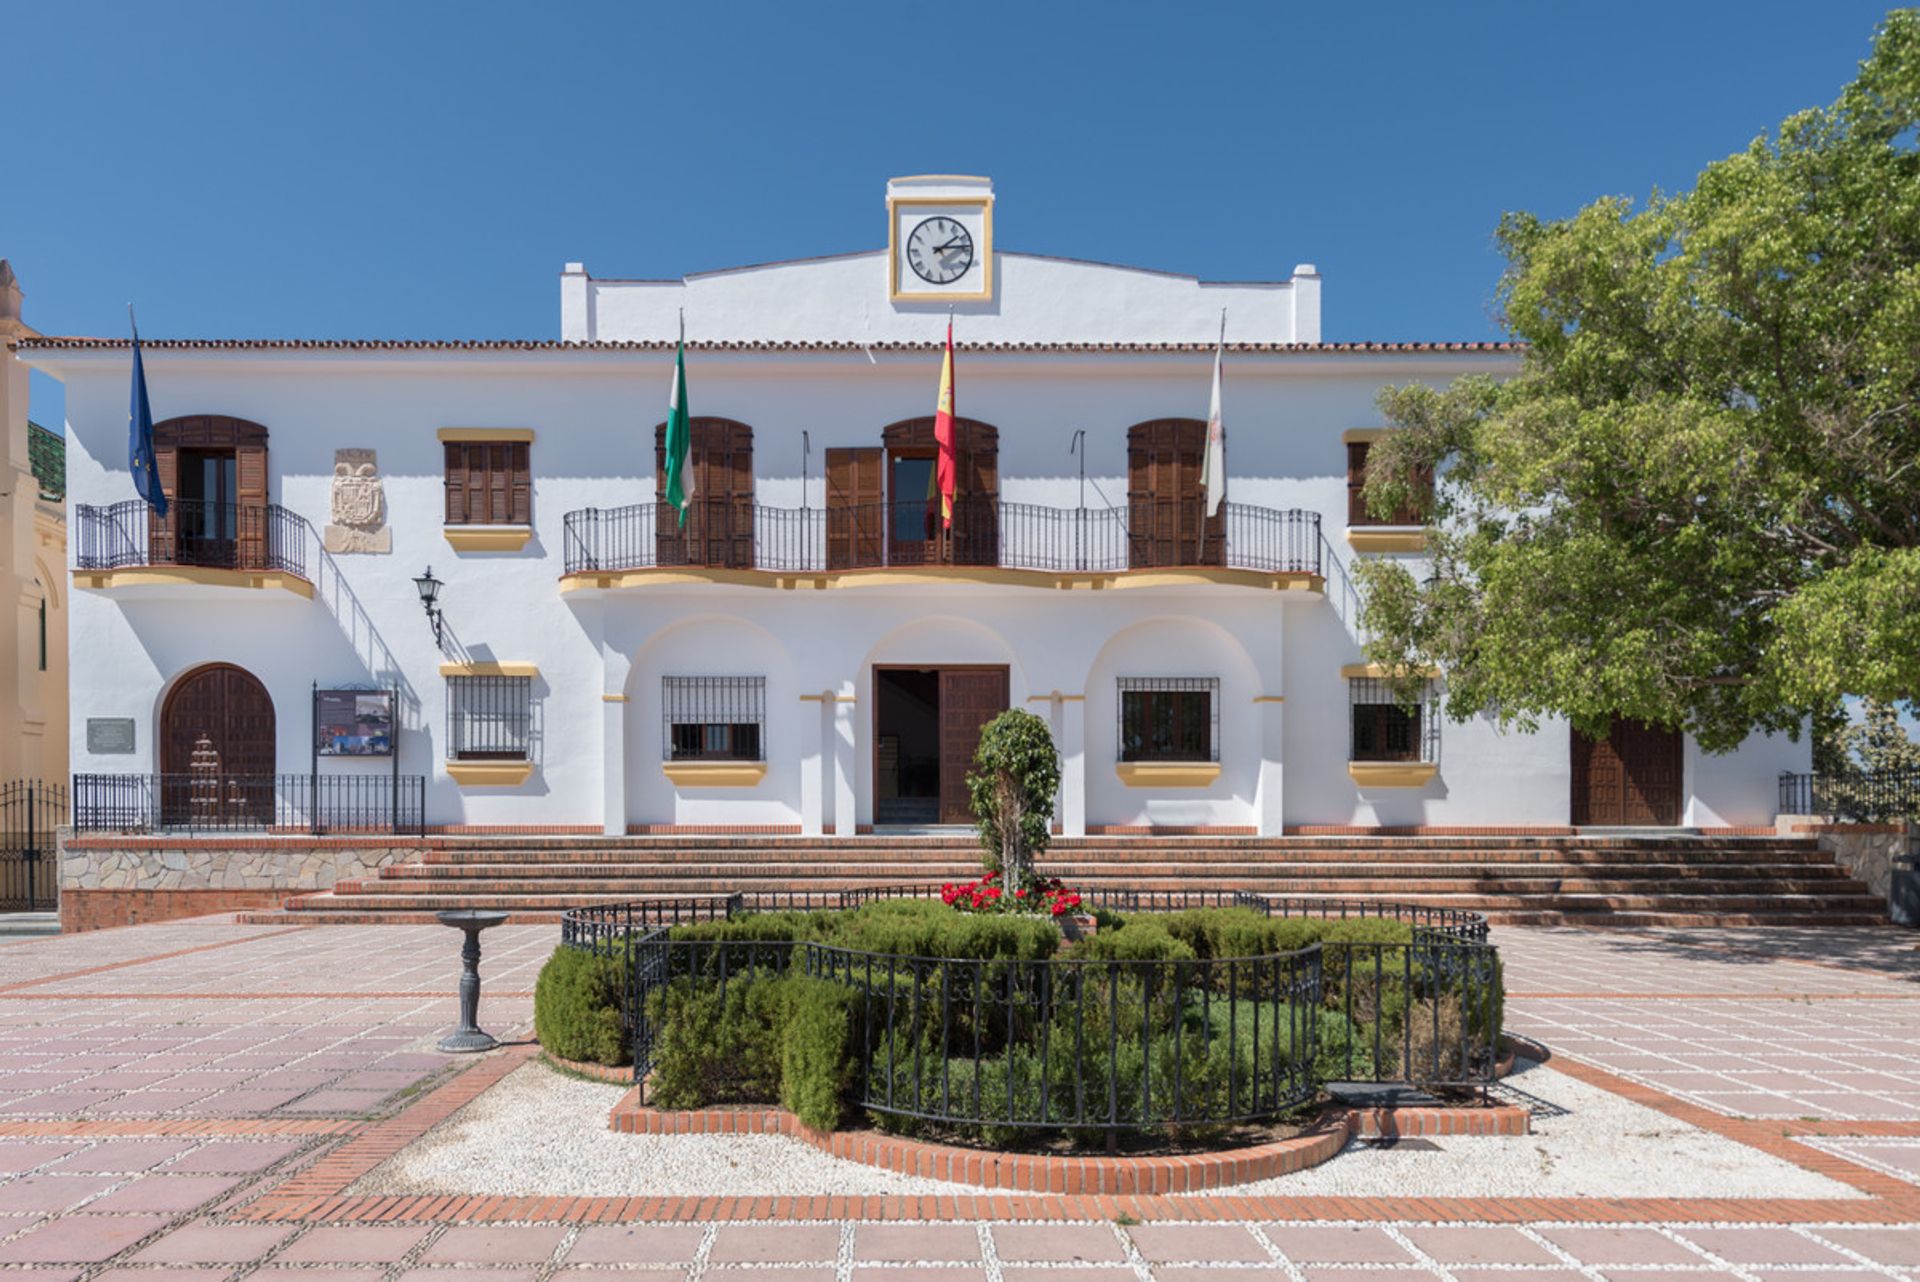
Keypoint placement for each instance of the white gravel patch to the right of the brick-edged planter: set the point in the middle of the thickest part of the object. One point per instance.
(1587, 1143)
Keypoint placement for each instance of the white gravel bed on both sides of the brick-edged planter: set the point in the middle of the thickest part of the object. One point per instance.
(544, 1133)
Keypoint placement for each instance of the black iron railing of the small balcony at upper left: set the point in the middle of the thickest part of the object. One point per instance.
(224, 536)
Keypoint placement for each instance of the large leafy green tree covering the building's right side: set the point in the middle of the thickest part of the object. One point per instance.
(1698, 502)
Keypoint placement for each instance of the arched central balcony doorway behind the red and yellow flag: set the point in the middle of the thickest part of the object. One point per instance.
(915, 529)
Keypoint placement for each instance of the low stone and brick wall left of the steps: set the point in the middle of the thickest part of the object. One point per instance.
(110, 882)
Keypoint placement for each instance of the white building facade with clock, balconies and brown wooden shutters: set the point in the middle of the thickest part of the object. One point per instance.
(807, 653)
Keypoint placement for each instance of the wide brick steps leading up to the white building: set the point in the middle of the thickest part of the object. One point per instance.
(1585, 880)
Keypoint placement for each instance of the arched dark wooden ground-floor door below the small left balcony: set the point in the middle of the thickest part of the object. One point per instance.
(218, 749)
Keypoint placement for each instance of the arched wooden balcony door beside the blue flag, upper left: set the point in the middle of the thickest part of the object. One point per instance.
(214, 471)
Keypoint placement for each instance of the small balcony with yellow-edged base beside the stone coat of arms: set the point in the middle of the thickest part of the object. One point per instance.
(220, 546)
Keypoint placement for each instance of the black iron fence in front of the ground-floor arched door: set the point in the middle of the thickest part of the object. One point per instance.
(216, 803)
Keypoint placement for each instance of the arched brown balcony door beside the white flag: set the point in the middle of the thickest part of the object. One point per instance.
(1166, 504)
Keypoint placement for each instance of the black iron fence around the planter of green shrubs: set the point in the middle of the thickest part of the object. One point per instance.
(1072, 1043)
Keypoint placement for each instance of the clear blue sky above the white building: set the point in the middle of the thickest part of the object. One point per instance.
(425, 170)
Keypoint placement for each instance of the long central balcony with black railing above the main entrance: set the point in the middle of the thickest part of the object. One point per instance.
(734, 538)
